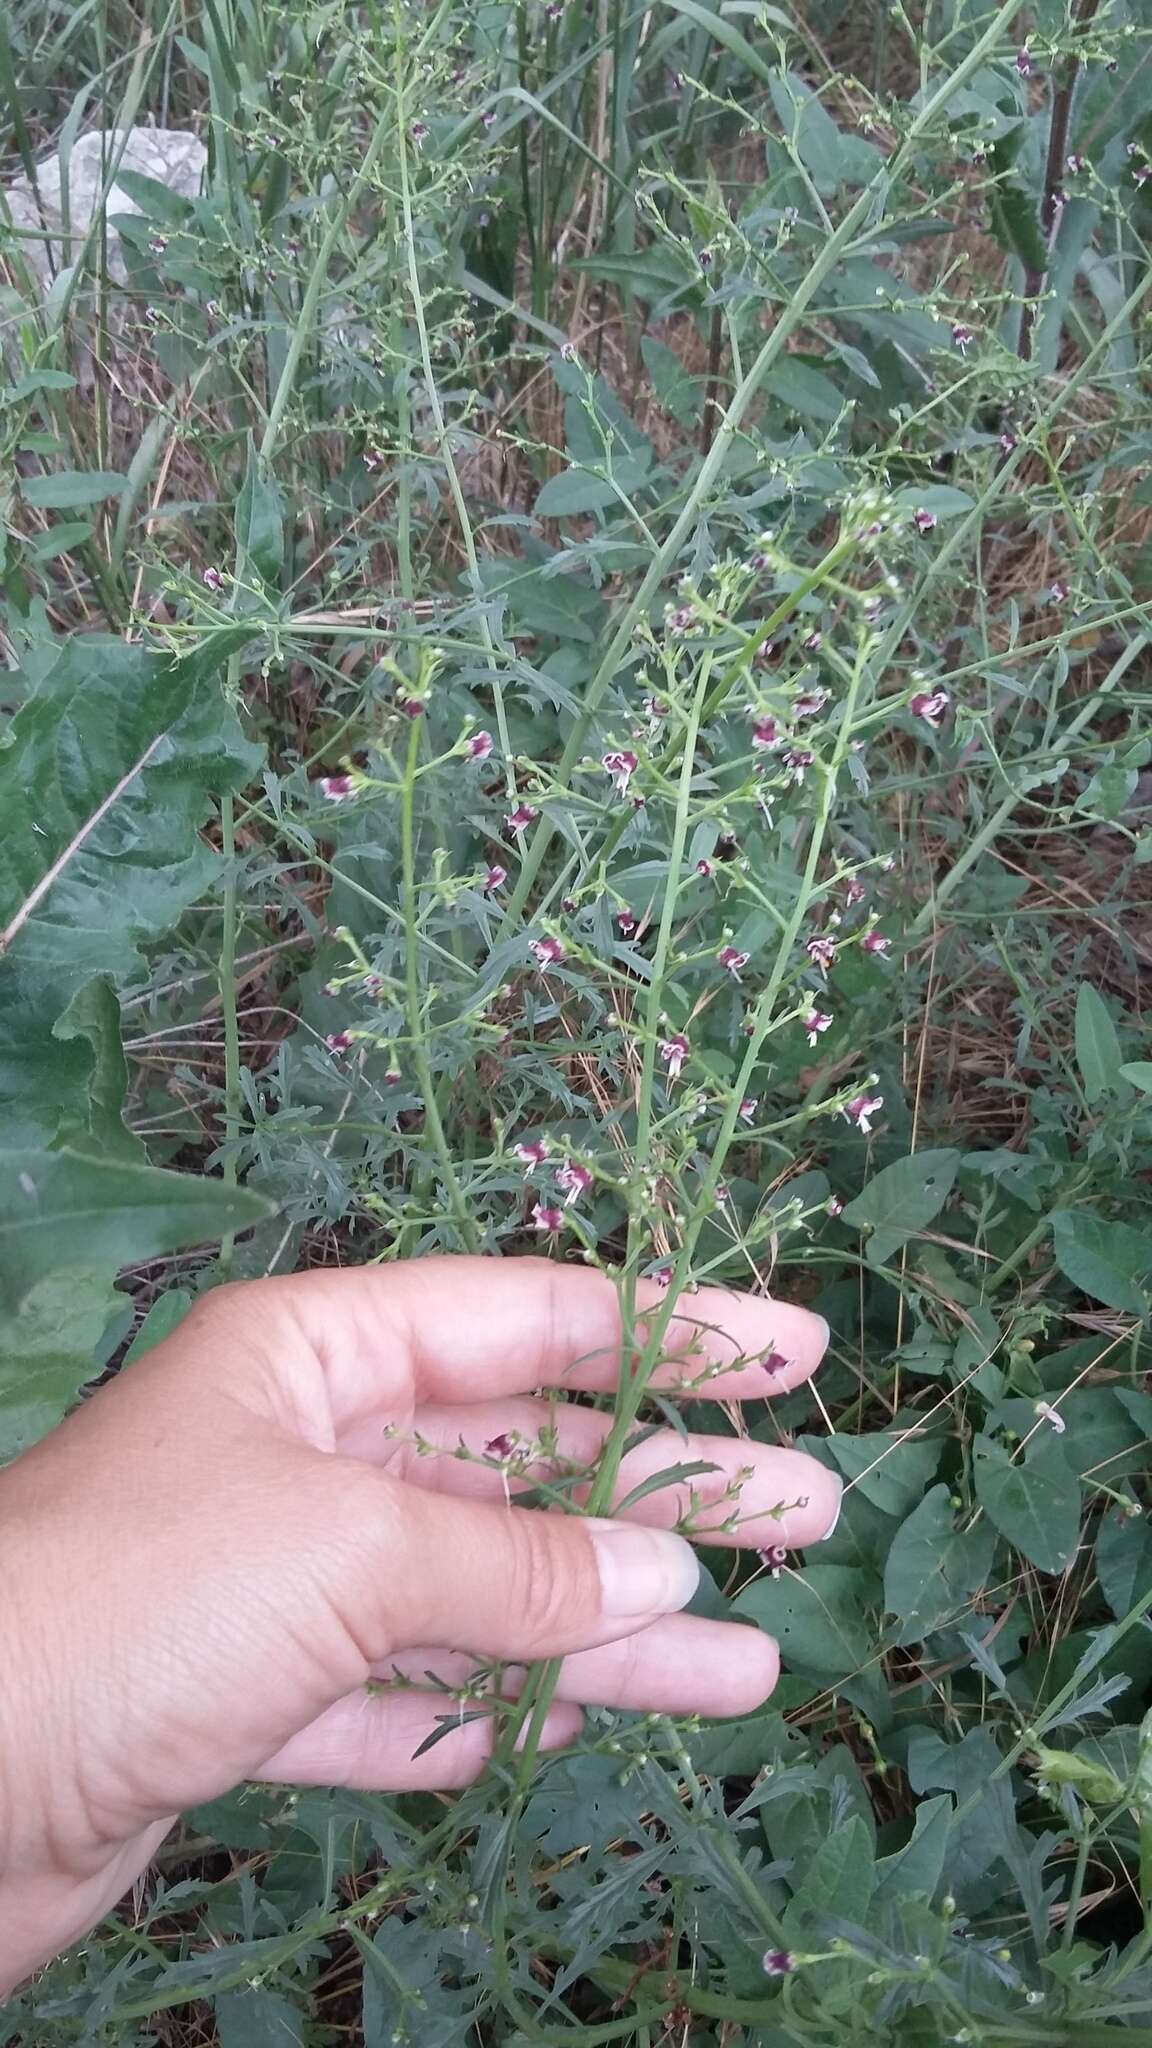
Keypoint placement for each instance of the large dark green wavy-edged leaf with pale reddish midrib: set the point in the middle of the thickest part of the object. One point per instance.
(106, 781)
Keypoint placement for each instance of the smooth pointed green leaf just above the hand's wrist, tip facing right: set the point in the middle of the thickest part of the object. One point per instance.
(106, 1213)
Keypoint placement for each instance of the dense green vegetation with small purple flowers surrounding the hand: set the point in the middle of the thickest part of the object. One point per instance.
(591, 587)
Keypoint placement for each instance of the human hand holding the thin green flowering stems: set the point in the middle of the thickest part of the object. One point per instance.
(206, 1564)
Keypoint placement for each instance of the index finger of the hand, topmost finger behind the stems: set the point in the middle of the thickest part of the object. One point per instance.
(472, 1328)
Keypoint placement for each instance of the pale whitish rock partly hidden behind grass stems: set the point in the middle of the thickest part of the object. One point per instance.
(173, 157)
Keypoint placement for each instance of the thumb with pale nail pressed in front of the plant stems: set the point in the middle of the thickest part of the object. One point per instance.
(509, 1582)
